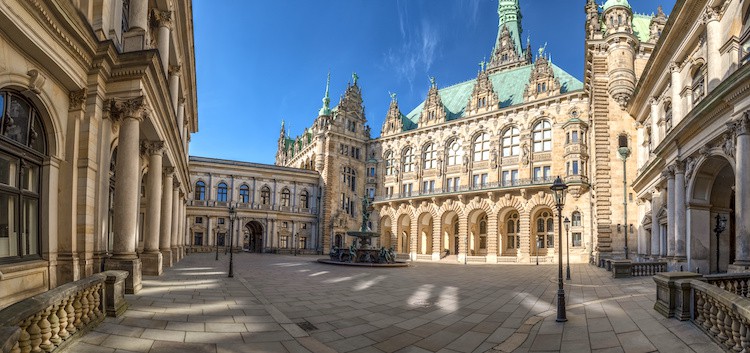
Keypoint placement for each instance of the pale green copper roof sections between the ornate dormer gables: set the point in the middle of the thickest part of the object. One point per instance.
(509, 86)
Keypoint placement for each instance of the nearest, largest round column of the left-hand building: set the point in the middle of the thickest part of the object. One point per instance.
(130, 112)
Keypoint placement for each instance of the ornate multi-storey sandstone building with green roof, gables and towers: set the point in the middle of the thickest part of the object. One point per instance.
(467, 173)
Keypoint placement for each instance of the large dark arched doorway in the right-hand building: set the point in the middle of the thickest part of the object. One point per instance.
(712, 194)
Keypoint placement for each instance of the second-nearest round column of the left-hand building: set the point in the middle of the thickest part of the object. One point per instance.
(151, 257)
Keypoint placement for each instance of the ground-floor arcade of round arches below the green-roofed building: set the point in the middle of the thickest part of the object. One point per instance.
(512, 229)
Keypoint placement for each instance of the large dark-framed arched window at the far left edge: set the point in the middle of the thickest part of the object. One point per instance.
(22, 150)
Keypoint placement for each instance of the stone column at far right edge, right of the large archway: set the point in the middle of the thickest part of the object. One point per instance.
(742, 193)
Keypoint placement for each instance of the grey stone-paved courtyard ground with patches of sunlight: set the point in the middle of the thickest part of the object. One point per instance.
(293, 304)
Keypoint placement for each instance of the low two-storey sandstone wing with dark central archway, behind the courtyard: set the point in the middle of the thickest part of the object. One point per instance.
(276, 207)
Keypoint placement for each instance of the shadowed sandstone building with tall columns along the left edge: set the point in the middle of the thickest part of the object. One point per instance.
(97, 103)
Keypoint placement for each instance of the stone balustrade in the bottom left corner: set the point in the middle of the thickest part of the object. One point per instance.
(48, 321)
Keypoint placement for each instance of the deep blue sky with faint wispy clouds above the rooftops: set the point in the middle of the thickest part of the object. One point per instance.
(259, 62)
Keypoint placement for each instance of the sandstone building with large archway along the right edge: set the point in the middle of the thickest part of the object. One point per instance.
(692, 111)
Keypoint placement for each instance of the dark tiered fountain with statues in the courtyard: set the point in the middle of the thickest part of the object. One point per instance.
(361, 252)
